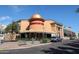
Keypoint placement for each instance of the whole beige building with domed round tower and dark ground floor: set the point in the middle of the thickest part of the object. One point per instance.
(38, 27)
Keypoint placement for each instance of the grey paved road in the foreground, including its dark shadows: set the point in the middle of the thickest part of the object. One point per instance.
(65, 47)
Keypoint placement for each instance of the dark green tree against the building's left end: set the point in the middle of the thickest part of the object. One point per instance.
(12, 27)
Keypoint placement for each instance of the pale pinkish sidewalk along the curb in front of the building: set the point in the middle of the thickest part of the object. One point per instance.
(15, 45)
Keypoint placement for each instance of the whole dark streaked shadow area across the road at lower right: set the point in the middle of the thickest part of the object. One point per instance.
(69, 48)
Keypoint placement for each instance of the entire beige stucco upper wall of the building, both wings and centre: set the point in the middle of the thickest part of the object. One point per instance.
(47, 27)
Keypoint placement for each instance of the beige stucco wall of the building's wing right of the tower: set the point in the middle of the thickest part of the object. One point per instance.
(53, 28)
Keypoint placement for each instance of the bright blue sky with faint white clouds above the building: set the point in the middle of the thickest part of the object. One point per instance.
(64, 14)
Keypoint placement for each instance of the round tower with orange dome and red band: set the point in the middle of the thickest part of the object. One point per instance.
(36, 22)
